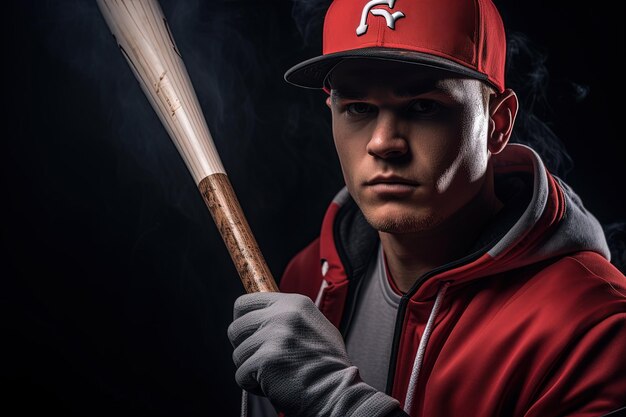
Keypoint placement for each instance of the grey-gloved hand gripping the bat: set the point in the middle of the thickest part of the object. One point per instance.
(288, 351)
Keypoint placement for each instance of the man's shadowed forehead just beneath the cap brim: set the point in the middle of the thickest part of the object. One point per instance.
(359, 77)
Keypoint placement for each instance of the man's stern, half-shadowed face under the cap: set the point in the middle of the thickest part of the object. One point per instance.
(412, 143)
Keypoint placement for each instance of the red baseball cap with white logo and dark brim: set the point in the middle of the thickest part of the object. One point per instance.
(465, 37)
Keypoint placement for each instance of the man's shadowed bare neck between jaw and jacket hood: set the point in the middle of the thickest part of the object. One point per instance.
(411, 255)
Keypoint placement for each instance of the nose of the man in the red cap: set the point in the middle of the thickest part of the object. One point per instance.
(387, 139)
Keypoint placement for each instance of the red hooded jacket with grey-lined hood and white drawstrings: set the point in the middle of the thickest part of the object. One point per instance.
(531, 324)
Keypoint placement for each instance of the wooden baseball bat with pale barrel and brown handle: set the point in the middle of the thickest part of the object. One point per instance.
(143, 36)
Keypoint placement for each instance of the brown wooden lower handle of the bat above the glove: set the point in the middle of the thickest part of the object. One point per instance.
(222, 202)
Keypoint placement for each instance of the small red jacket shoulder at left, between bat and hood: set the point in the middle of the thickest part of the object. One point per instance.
(303, 272)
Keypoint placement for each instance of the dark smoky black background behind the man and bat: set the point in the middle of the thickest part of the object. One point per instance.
(117, 287)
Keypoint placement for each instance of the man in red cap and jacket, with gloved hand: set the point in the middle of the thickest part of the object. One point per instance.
(454, 275)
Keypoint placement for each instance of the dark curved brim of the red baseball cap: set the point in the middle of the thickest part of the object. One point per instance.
(313, 72)
